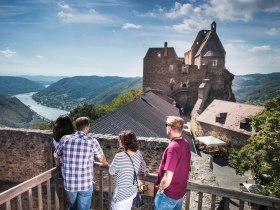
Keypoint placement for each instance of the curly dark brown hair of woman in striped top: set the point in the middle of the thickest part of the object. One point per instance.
(128, 140)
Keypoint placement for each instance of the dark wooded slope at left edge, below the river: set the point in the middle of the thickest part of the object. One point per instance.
(14, 113)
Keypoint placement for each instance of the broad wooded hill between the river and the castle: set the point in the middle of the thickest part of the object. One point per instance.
(68, 93)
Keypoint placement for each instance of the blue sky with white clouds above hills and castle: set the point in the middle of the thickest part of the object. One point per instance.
(111, 37)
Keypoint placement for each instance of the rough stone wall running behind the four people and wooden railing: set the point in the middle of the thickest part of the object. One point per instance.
(27, 153)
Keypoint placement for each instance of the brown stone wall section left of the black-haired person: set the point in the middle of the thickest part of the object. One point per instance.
(24, 153)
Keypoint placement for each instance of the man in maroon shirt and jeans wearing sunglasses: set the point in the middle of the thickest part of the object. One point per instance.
(174, 168)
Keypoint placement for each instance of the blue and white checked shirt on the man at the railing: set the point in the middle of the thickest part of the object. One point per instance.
(77, 153)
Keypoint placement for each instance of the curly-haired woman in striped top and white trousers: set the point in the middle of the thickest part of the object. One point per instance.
(123, 166)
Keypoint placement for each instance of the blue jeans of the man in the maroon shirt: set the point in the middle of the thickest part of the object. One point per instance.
(162, 202)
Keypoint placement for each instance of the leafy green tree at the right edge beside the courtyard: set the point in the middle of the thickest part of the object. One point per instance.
(261, 154)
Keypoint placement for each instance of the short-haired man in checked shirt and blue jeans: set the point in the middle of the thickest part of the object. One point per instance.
(77, 153)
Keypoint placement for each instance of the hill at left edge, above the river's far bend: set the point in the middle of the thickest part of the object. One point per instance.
(15, 85)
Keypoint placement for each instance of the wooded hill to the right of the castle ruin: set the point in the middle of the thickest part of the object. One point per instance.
(256, 88)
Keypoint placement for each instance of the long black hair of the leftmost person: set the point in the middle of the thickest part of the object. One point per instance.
(62, 126)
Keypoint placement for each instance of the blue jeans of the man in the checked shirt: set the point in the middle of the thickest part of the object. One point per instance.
(80, 200)
